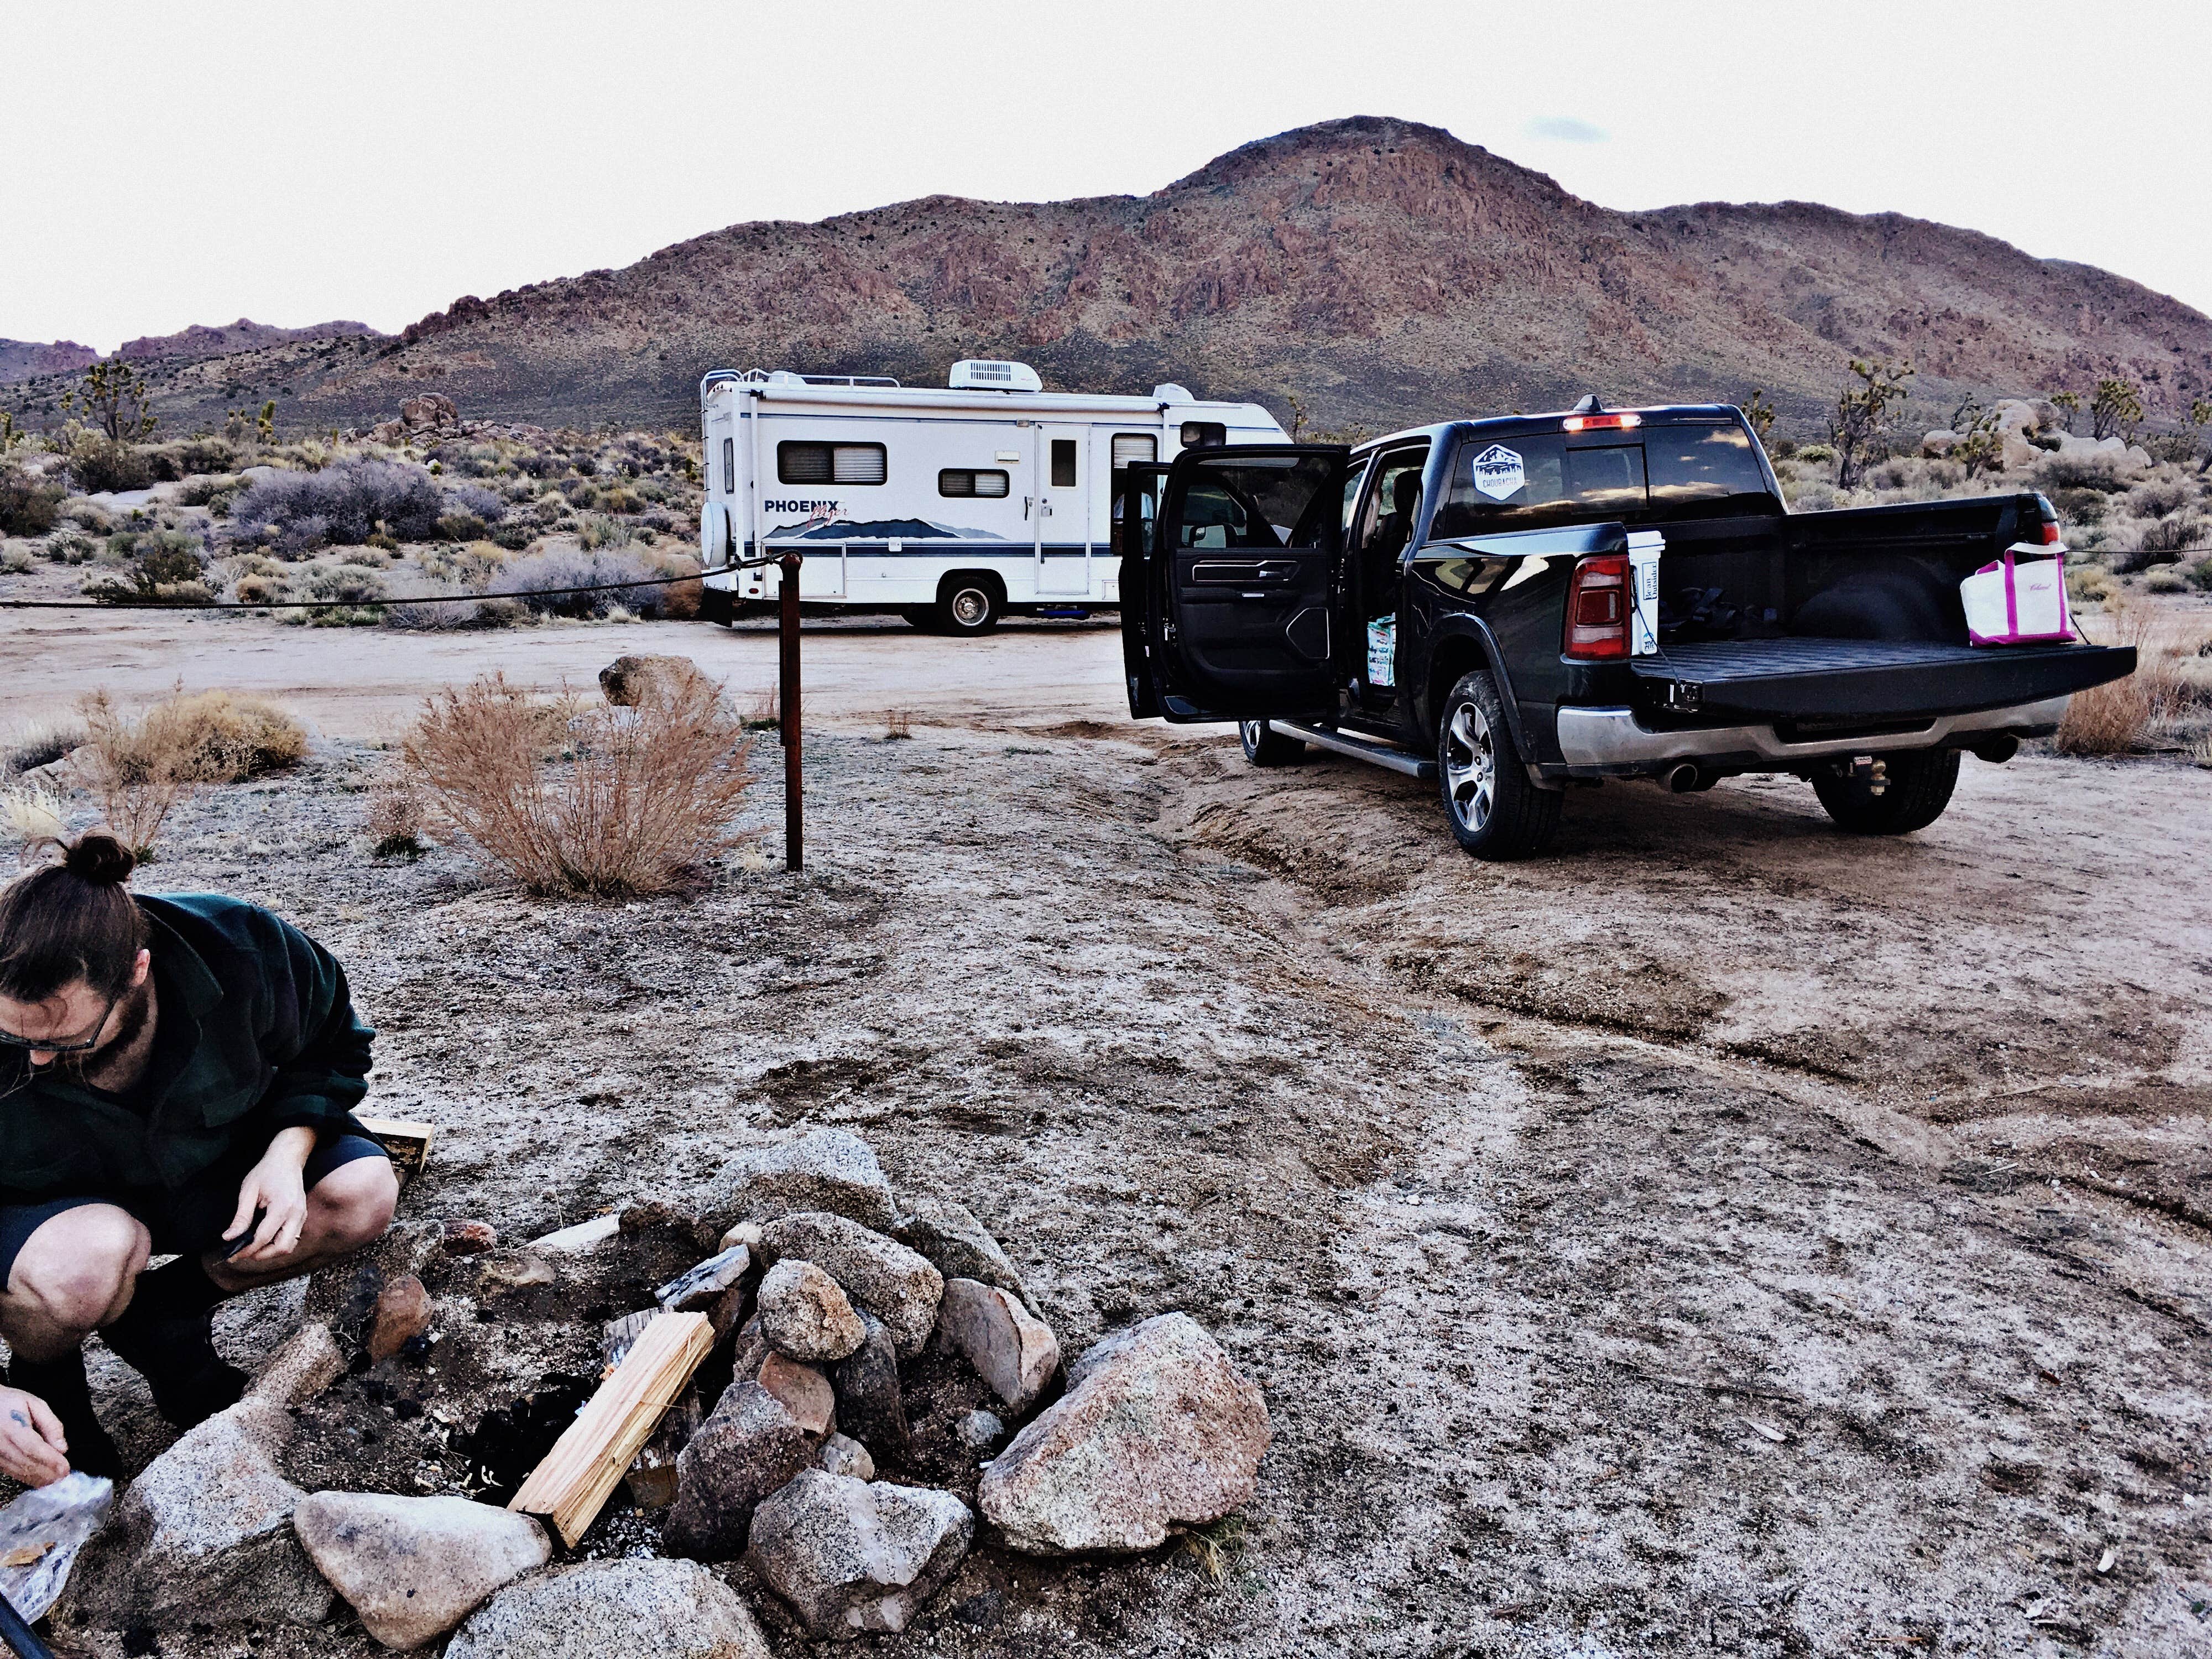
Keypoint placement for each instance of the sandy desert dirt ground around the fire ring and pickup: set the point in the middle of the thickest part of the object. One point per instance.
(1715, 1238)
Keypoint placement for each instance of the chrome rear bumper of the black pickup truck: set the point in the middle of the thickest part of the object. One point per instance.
(1614, 742)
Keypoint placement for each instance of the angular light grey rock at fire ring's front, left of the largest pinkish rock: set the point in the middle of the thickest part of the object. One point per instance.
(857, 1556)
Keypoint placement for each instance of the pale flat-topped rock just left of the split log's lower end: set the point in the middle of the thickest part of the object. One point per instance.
(417, 1567)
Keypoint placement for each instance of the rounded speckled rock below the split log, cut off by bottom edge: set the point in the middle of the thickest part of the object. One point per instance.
(638, 1609)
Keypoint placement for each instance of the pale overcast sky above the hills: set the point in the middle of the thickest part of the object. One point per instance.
(191, 163)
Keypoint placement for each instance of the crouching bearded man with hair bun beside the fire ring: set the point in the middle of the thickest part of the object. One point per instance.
(176, 1078)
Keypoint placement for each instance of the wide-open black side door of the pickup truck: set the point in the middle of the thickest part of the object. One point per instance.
(1231, 583)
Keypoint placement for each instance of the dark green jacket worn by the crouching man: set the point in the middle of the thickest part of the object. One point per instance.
(255, 1034)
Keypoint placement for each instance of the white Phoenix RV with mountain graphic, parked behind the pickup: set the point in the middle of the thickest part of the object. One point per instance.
(948, 505)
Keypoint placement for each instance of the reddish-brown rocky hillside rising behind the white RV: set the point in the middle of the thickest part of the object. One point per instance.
(1381, 271)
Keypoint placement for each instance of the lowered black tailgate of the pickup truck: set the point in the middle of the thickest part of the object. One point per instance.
(1866, 680)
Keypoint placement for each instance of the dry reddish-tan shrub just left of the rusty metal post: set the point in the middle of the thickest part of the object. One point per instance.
(634, 802)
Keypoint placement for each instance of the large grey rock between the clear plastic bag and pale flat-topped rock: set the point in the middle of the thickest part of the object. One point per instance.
(207, 1532)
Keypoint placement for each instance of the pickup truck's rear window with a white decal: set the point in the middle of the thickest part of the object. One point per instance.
(1547, 479)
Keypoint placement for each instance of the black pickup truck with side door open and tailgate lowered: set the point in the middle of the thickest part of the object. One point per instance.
(1519, 607)
